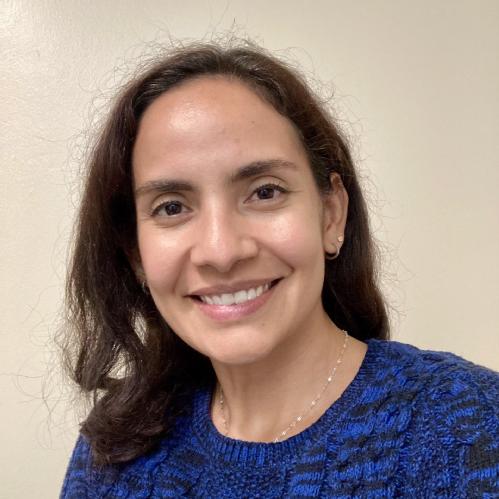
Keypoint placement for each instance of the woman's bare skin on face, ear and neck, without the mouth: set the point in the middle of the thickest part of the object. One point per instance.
(272, 362)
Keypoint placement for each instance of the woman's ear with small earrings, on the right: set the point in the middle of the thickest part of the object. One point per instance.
(335, 204)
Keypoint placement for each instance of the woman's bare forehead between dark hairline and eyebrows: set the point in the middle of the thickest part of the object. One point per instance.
(212, 124)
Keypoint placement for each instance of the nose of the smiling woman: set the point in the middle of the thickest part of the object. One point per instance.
(223, 238)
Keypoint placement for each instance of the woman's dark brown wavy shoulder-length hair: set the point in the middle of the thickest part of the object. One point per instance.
(118, 348)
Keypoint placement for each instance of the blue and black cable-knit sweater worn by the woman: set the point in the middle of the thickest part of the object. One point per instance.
(412, 423)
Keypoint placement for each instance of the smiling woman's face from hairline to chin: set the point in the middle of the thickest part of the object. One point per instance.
(231, 227)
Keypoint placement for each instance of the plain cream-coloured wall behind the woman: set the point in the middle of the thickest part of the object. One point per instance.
(415, 86)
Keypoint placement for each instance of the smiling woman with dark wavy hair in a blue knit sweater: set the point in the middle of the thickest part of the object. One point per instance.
(226, 313)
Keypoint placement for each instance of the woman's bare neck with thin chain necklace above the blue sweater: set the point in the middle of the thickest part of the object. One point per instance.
(262, 400)
